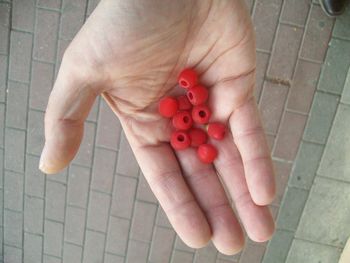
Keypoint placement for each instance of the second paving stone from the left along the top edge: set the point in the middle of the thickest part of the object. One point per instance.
(23, 15)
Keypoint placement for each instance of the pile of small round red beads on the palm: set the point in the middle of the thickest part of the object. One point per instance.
(189, 112)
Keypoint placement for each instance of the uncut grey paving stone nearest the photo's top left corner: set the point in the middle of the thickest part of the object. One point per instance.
(20, 56)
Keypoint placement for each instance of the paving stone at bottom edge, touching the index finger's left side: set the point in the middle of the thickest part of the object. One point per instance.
(162, 244)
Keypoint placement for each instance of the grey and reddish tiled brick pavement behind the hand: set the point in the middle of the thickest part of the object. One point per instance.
(100, 209)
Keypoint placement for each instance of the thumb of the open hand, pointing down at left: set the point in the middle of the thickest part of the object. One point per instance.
(69, 104)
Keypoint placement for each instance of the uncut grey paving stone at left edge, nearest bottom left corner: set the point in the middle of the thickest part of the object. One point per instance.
(13, 228)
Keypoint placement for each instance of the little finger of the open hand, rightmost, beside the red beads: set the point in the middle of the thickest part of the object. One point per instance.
(248, 135)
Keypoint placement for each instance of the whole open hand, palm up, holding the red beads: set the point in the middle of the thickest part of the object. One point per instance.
(130, 52)
